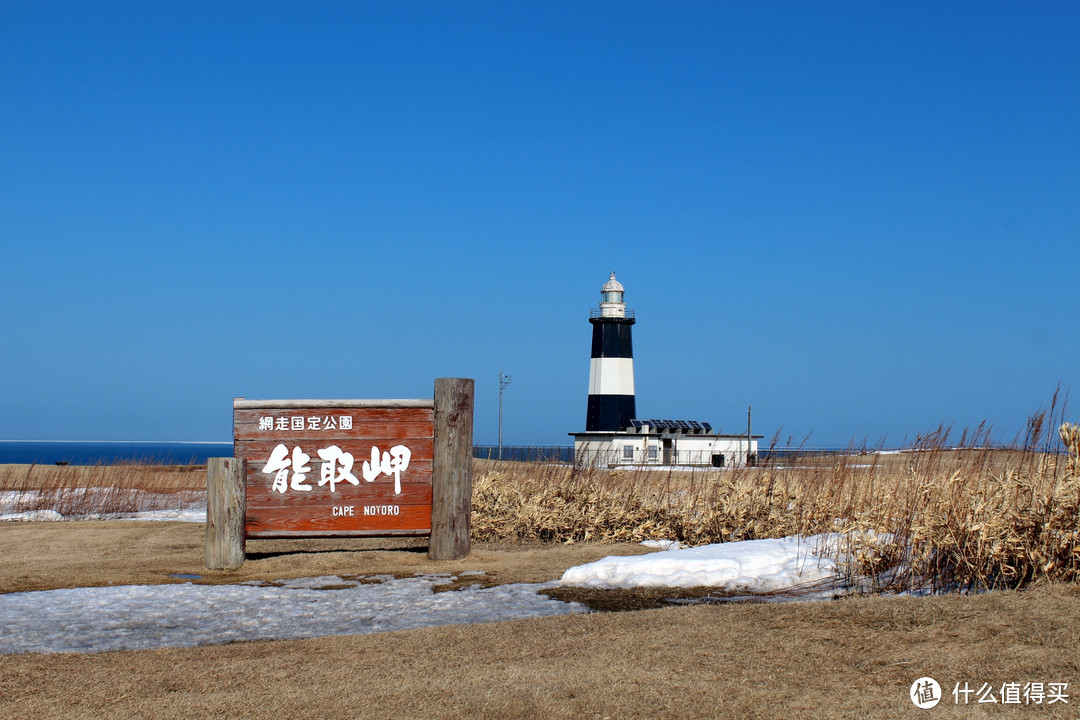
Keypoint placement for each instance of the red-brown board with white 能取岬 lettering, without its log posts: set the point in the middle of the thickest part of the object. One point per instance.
(336, 468)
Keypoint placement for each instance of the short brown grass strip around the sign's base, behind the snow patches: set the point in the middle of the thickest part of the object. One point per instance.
(39, 556)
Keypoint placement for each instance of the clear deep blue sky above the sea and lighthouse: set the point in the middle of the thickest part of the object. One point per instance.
(860, 219)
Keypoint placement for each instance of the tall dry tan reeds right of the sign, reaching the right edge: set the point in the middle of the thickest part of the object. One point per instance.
(937, 517)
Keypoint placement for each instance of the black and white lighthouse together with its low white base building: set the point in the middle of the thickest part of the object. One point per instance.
(613, 436)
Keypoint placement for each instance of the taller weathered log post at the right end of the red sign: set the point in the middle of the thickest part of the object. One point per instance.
(452, 476)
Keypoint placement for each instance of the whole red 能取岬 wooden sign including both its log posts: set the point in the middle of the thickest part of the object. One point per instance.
(345, 469)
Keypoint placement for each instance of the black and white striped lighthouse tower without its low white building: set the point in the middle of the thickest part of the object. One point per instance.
(612, 373)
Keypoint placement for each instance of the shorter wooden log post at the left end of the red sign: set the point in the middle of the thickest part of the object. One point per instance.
(226, 505)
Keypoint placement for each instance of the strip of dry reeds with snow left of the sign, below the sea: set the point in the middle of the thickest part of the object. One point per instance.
(82, 492)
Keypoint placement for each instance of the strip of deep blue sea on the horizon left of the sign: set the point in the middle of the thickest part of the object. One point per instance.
(105, 453)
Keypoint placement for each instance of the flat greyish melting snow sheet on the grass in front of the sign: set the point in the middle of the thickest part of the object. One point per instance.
(143, 617)
